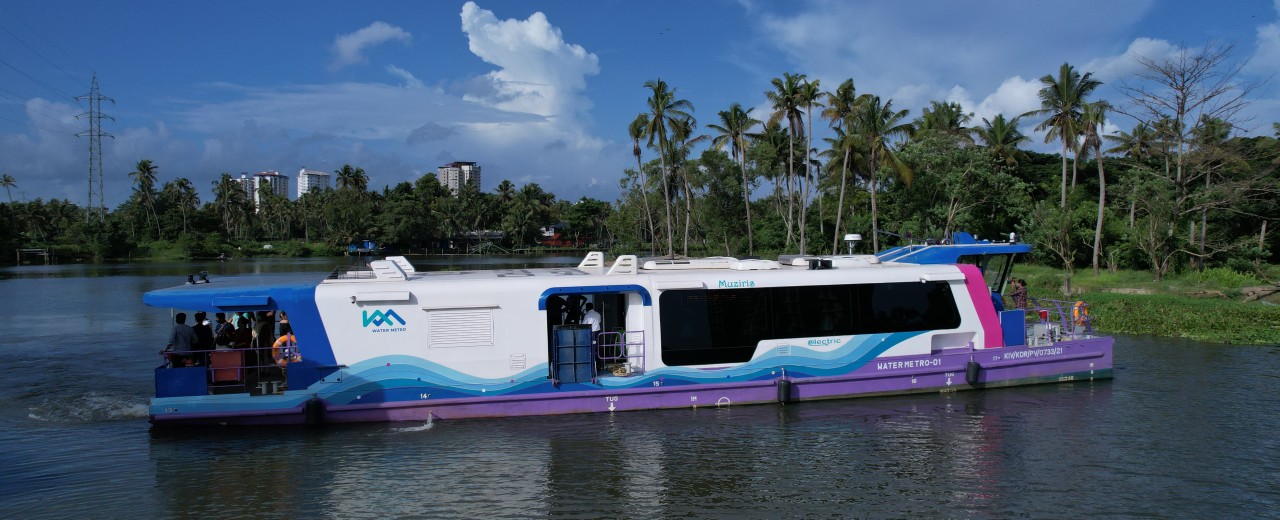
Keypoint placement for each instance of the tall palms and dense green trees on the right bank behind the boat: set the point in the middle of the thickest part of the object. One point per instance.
(1182, 189)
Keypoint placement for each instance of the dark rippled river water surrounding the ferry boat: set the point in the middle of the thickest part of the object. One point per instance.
(1186, 430)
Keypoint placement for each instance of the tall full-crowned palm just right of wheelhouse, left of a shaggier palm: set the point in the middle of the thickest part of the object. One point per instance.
(1063, 98)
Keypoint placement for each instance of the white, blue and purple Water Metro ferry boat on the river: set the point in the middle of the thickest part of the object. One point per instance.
(388, 343)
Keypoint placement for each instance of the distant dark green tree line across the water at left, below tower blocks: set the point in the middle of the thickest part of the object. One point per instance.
(170, 218)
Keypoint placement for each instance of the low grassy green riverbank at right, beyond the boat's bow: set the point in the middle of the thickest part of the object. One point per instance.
(1206, 307)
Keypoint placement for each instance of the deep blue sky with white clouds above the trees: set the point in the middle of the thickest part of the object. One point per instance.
(534, 93)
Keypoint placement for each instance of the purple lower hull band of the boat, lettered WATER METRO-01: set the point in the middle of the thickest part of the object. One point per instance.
(962, 370)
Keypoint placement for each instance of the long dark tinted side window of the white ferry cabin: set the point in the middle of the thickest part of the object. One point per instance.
(703, 327)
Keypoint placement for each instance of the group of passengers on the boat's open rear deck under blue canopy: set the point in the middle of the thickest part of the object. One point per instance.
(260, 332)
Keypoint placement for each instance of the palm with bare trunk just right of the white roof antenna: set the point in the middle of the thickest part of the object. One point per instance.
(876, 125)
